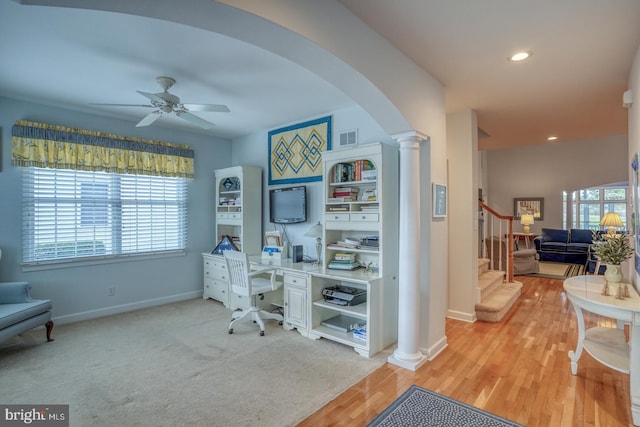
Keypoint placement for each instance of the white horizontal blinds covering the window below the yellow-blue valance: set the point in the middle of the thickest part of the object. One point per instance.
(71, 214)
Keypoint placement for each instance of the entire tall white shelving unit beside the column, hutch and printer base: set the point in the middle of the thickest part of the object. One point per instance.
(369, 174)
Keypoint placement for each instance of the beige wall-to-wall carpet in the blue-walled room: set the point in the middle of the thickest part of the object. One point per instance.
(176, 365)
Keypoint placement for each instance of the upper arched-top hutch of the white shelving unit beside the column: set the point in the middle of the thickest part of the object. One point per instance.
(361, 206)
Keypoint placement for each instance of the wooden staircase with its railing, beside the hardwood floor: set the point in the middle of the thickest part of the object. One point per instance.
(497, 292)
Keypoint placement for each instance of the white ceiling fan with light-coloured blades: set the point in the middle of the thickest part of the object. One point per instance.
(165, 102)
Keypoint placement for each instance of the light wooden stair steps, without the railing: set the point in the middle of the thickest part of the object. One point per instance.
(496, 295)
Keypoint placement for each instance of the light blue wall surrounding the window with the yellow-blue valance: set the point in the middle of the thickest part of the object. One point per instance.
(82, 292)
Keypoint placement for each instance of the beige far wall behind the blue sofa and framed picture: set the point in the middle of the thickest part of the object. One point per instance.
(548, 169)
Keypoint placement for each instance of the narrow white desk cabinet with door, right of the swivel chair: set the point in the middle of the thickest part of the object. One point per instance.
(296, 289)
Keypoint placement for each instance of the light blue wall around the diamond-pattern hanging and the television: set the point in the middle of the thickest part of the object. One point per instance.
(253, 150)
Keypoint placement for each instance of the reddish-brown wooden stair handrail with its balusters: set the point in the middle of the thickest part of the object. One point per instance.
(504, 226)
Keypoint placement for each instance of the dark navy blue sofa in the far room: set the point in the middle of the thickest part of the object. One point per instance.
(568, 246)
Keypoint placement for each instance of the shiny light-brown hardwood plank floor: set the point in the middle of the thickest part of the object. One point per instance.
(517, 368)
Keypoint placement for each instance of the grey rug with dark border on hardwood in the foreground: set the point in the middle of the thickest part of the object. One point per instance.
(420, 407)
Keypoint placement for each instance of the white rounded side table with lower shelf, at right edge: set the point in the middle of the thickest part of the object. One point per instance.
(608, 345)
